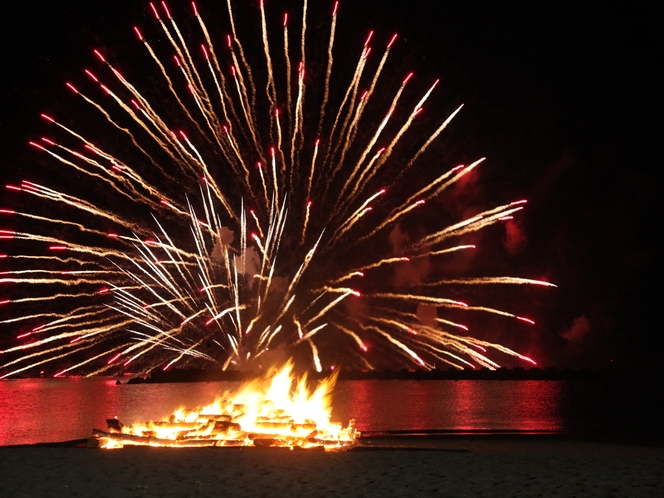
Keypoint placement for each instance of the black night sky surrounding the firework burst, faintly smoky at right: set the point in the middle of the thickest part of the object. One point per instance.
(560, 98)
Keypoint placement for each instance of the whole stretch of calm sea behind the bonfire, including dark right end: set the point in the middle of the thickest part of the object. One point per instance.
(51, 410)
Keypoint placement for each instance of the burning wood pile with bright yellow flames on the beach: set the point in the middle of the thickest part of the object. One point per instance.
(263, 412)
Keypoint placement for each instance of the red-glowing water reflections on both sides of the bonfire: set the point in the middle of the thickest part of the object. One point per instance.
(43, 410)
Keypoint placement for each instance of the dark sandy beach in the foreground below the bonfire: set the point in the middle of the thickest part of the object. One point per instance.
(473, 467)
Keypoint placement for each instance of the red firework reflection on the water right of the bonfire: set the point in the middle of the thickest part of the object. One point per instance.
(451, 405)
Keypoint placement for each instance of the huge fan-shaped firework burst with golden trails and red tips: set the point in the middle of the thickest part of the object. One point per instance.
(250, 216)
